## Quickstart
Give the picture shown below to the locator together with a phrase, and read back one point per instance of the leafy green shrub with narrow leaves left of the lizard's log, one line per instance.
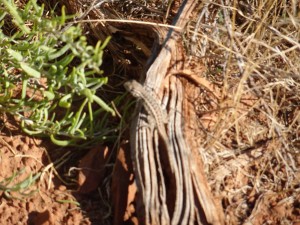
(57, 72)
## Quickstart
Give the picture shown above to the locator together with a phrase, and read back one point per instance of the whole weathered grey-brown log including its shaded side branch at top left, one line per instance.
(171, 183)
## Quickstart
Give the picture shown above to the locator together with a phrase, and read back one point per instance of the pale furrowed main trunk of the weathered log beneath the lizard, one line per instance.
(177, 195)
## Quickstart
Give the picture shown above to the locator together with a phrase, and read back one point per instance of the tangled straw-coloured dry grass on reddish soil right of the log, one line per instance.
(251, 51)
